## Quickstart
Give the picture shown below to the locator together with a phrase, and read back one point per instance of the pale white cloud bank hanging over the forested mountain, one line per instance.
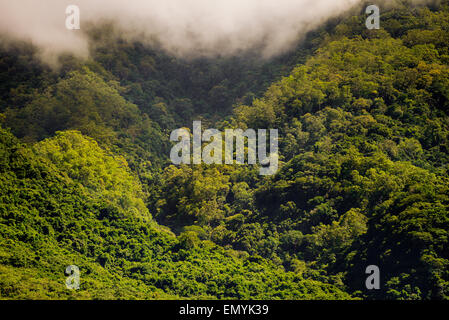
(183, 27)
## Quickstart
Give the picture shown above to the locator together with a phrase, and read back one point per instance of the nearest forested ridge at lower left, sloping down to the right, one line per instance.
(66, 201)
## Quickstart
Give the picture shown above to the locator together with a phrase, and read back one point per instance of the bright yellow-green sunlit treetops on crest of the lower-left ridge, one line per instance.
(106, 177)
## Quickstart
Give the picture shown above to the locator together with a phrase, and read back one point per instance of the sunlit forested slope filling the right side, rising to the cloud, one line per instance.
(364, 140)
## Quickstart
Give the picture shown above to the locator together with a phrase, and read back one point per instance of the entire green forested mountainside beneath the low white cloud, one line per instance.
(363, 124)
